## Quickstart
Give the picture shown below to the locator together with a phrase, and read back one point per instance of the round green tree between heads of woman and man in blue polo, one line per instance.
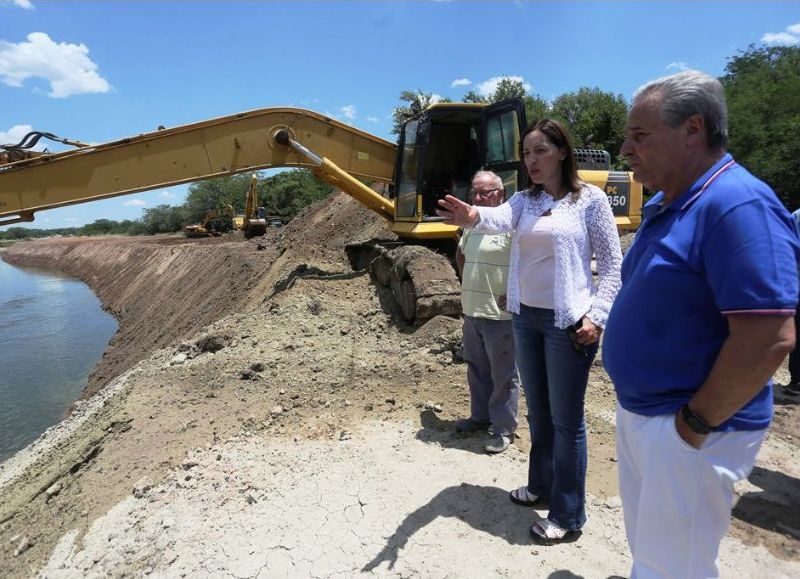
(590, 112)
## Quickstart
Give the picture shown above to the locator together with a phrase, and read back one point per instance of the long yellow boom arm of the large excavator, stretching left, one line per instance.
(184, 154)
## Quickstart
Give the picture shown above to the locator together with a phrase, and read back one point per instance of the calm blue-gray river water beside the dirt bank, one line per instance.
(53, 331)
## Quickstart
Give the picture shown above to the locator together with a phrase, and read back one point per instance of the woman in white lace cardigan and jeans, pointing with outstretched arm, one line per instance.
(559, 222)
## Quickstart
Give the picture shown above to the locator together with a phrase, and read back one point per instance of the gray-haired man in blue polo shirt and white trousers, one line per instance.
(703, 320)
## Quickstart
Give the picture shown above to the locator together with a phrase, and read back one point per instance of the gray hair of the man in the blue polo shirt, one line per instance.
(690, 93)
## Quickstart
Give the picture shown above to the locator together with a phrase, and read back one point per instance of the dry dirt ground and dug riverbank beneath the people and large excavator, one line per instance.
(296, 436)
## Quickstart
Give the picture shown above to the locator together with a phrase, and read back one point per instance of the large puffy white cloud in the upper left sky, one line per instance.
(65, 66)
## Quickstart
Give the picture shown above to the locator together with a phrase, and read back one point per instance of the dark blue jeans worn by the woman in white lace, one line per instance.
(554, 377)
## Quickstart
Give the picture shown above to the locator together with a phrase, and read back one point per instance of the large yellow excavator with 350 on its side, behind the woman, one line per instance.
(437, 153)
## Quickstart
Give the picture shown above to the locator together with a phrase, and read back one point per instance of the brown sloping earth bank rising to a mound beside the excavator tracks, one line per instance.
(166, 288)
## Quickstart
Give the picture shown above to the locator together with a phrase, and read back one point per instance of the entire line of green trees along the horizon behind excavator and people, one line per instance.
(763, 92)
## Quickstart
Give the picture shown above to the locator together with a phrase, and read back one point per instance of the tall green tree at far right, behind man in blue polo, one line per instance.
(762, 87)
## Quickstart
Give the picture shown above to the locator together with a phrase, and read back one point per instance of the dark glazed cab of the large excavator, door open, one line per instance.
(442, 148)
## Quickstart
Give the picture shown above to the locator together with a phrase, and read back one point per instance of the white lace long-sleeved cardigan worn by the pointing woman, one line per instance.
(582, 227)
